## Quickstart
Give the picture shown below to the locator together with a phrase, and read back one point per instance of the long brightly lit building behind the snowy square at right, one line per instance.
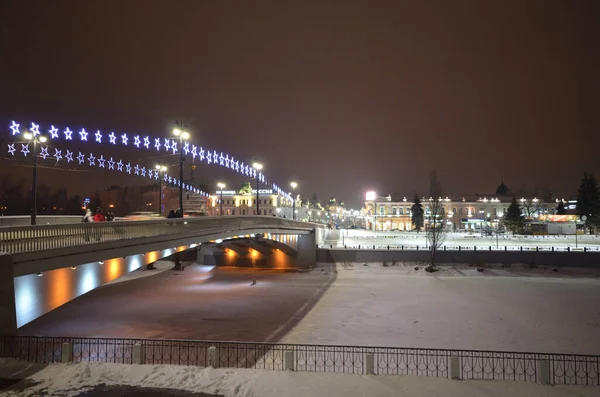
(468, 212)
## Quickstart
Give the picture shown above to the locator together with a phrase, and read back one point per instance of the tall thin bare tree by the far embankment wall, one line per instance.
(436, 229)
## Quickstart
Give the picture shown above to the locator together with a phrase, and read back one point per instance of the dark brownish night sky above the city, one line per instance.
(342, 96)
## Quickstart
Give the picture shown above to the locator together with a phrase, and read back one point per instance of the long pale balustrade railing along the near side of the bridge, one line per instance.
(22, 239)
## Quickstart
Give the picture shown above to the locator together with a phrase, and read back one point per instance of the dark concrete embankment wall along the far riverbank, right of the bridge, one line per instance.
(574, 259)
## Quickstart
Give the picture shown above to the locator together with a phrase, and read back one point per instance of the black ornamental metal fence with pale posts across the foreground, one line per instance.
(459, 364)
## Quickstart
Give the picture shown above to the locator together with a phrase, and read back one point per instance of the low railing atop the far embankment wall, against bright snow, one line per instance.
(416, 247)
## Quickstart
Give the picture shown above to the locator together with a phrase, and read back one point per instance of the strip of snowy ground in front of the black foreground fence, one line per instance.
(62, 380)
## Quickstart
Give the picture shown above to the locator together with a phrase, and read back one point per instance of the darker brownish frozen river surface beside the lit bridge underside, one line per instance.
(192, 304)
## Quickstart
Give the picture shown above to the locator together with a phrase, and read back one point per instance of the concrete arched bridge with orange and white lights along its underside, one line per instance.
(140, 243)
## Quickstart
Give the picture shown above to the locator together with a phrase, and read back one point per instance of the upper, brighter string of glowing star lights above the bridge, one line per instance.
(139, 142)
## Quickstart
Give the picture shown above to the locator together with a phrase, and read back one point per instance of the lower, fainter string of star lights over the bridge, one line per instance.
(91, 160)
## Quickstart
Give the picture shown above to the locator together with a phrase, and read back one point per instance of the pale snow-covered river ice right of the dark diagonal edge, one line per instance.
(498, 309)
